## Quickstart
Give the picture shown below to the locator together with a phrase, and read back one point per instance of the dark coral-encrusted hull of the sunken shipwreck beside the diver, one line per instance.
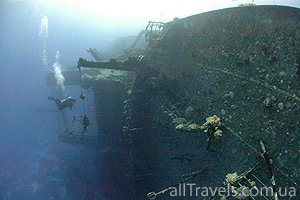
(215, 97)
